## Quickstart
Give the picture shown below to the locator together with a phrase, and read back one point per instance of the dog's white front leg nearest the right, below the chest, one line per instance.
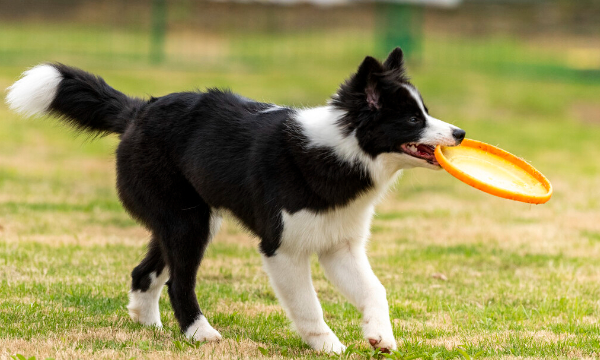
(348, 268)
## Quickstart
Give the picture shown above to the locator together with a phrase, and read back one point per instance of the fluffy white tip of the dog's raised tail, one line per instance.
(35, 91)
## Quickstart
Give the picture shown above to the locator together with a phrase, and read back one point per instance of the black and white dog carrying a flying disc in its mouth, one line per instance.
(302, 180)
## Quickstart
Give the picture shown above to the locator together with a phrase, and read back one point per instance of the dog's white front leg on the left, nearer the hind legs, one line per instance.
(290, 277)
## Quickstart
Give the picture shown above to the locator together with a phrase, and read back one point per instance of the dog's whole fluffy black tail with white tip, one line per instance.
(81, 99)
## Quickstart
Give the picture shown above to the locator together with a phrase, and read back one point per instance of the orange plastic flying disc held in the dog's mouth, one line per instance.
(494, 171)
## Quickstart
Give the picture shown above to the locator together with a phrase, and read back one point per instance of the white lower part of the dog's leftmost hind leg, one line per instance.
(143, 305)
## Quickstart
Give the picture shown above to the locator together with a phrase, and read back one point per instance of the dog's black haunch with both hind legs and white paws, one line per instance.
(182, 224)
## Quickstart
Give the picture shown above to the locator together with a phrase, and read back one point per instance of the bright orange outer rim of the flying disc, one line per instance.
(492, 189)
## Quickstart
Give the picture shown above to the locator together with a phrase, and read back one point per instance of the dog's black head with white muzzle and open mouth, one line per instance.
(387, 115)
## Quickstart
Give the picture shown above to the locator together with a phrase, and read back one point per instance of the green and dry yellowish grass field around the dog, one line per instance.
(519, 281)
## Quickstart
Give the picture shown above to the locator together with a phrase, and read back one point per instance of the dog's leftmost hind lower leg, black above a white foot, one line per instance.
(147, 281)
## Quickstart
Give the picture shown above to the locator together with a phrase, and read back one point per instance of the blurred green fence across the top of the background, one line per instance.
(557, 39)
